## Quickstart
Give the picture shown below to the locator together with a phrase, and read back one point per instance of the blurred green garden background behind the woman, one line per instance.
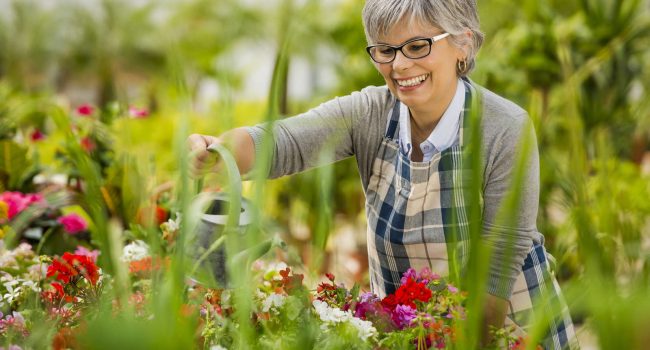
(580, 69)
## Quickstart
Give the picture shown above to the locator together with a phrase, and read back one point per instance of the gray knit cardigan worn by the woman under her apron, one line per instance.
(354, 125)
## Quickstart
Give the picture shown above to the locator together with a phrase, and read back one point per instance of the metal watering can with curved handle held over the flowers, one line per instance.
(226, 214)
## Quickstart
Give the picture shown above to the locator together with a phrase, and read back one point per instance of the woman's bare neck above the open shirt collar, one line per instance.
(425, 119)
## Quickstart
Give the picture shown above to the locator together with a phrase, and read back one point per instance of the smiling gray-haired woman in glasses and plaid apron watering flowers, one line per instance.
(408, 138)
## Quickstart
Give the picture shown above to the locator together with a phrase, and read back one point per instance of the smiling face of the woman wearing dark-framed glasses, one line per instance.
(436, 72)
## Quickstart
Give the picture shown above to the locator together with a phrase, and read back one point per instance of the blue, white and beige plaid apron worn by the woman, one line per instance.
(417, 218)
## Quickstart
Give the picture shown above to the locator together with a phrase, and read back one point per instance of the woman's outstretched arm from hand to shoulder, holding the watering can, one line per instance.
(347, 125)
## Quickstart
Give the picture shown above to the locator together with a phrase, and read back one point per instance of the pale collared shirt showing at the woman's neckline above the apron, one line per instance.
(443, 136)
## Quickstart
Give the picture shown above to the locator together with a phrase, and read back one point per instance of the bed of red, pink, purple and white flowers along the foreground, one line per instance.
(70, 292)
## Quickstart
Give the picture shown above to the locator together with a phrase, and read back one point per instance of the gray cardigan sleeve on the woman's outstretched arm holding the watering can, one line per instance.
(335, 130)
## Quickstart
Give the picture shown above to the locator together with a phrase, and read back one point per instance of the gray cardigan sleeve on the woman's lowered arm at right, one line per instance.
(510, 195)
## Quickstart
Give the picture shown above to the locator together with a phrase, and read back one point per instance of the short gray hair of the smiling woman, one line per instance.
(452, 16)
